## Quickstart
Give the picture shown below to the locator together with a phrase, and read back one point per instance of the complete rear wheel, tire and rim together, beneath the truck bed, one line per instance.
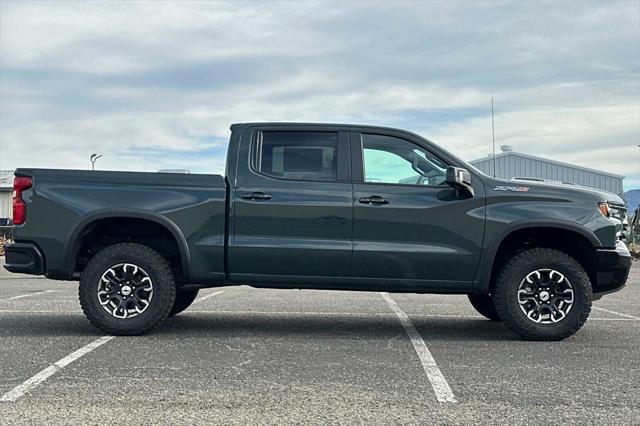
(127, 289)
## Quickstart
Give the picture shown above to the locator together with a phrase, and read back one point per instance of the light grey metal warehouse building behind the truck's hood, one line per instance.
(510, 164)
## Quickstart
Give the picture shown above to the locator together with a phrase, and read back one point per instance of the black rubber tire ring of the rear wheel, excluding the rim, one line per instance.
(159, 271)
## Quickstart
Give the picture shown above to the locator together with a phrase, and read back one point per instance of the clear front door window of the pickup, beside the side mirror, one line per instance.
(387, 159)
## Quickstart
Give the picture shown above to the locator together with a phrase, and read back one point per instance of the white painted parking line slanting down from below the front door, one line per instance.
(438, 382)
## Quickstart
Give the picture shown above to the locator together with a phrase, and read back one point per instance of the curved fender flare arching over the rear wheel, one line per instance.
(71, 243)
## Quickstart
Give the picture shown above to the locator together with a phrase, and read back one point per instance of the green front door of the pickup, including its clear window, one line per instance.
(408, 223)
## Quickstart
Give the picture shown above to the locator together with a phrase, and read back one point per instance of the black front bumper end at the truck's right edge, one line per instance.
(612, 269)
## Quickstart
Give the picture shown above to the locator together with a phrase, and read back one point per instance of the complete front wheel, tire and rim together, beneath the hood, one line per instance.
(543, 294)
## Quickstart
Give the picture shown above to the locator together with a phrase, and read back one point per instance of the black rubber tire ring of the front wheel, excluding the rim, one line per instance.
(516, 269)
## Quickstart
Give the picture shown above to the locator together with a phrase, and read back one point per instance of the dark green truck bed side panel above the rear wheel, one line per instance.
(63, 203)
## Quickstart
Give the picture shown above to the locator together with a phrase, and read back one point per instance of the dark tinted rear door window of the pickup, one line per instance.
(297, 155)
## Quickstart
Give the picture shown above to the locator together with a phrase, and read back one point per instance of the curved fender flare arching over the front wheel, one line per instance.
(483, 276)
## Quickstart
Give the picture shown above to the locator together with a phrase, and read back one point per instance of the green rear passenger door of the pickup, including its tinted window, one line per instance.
(292, 207)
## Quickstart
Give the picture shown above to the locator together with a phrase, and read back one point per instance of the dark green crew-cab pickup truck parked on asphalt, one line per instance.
(320, 206)
